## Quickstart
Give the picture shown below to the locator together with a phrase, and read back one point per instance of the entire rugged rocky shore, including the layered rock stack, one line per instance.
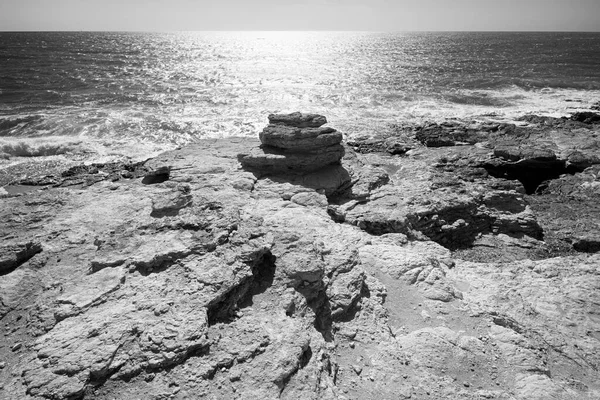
(442, 261)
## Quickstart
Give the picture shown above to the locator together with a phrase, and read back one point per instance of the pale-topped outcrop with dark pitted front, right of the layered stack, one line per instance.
(450, 200)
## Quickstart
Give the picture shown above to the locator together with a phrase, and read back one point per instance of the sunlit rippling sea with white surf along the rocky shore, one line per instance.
(105, 95)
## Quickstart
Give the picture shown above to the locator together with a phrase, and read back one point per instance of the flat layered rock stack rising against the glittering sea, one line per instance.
(294, 143)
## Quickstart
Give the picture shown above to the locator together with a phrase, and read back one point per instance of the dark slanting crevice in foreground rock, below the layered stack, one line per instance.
(224, 308)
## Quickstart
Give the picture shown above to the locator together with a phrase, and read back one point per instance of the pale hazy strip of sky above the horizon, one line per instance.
(378, 15)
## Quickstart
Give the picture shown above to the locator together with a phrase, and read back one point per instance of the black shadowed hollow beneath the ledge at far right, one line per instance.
(532, 173)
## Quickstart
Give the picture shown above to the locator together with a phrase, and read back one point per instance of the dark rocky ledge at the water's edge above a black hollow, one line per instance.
(541, 149)
